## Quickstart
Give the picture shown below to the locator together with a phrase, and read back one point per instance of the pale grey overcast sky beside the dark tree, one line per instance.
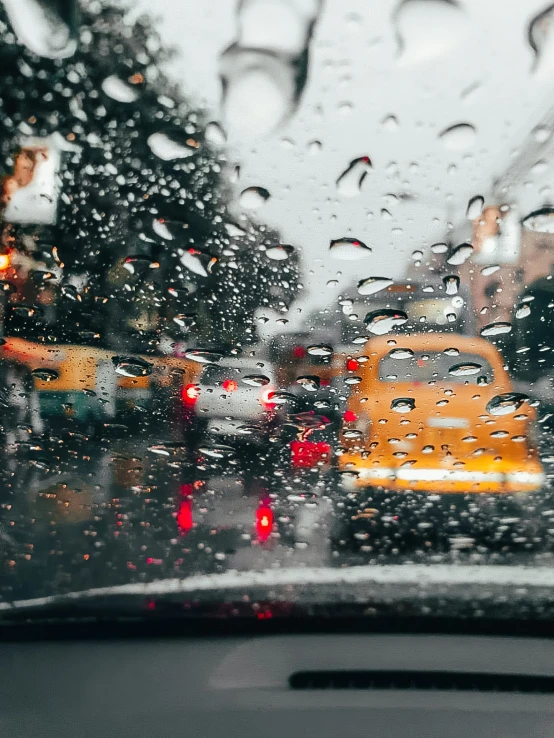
(471, 64)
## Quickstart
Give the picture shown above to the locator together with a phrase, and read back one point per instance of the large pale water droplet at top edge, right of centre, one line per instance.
(429, 28)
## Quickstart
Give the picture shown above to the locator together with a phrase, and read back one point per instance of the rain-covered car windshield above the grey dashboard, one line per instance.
(276, 301)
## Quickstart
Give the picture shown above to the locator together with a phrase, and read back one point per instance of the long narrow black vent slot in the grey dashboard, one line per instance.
(422, 680)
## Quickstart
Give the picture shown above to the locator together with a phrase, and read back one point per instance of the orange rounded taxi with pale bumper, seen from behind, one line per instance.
(437, 413)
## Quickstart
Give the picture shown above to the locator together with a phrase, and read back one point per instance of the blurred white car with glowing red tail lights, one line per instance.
(231, 400)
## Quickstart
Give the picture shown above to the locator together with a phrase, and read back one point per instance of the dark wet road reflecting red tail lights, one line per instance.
(78, 514)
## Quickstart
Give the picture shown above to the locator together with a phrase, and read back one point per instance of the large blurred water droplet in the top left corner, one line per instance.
(46, 29)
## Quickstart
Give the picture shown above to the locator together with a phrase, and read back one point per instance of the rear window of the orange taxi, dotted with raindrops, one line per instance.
(462, 368)
